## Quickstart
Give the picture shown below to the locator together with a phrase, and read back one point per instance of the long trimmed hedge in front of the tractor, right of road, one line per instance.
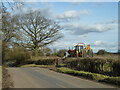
(95, 65)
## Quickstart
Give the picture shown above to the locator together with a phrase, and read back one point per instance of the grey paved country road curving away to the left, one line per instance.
(34, 77)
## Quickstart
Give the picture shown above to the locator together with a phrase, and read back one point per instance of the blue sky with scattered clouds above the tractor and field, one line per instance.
(94, 23)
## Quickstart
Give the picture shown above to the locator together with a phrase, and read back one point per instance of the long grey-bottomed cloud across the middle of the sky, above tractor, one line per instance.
(80, 29)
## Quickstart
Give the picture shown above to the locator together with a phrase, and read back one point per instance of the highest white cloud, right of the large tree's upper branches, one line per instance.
(72, 15)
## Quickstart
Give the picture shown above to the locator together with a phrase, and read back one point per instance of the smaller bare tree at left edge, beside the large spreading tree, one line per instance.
(8, 34)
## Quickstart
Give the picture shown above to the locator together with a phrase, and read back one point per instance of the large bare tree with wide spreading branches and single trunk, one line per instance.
(37, 31)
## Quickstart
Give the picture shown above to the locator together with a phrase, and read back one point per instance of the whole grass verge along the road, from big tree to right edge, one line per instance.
(88, 75)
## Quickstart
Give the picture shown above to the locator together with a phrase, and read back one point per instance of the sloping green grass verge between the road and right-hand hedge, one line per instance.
(89, 75)
